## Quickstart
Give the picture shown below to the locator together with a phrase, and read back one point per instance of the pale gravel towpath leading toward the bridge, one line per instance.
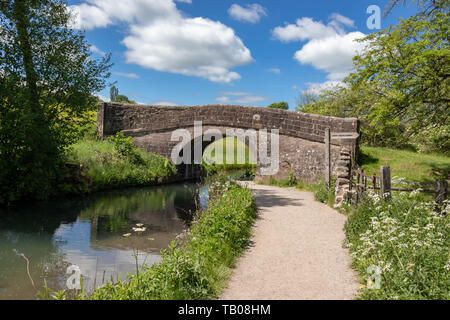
(296, 251)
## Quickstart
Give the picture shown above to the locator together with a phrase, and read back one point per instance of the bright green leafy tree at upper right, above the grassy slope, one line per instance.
(410, 64)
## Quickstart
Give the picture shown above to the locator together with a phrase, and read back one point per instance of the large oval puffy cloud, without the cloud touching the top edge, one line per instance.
(195, 47)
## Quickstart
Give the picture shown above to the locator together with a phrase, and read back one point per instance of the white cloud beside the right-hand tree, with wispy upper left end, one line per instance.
(329, 47)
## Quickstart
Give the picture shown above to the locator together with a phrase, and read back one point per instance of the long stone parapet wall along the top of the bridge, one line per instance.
(139, 119)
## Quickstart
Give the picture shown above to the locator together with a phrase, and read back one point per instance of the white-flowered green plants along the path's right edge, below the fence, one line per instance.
(407, 241)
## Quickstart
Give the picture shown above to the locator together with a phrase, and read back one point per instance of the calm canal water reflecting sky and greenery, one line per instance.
(89, 233)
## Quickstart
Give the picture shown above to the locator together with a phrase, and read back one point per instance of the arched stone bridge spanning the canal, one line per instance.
(301, 135)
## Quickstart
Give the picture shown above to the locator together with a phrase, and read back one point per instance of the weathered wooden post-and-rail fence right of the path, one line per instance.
(361, 182)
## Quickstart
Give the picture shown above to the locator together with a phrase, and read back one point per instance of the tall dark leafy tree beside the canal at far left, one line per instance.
(46, 79)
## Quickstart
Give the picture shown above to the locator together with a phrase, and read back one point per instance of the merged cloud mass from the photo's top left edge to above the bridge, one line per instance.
(161, 38)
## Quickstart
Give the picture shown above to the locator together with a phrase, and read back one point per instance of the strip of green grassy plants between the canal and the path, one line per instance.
(198, 264)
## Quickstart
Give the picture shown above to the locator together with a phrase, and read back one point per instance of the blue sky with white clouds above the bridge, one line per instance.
(191, 52)
